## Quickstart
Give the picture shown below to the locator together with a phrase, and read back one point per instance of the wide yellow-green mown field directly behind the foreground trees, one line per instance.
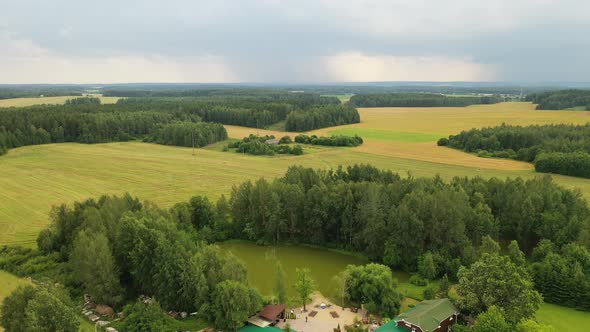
(34, 178)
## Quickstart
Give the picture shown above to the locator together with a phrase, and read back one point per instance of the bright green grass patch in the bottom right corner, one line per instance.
(564, 319)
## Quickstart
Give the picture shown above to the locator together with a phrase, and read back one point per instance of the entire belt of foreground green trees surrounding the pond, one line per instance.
(437, 228)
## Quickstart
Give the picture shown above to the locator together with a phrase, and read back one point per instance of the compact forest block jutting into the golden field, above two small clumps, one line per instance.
(321, 117)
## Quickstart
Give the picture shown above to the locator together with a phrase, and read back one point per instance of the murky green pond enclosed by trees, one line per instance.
(260, 261)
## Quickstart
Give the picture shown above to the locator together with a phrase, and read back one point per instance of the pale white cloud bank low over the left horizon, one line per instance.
(24, 62)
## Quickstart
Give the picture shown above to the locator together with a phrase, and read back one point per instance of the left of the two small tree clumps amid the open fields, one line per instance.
(256, 145)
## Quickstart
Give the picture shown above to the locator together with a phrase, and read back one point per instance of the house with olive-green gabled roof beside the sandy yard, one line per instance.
(426, 316)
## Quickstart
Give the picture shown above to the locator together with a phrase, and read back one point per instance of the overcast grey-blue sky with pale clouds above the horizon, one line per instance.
(109, 41)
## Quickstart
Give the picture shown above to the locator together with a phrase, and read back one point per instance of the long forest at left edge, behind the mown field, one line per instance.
(80, 123)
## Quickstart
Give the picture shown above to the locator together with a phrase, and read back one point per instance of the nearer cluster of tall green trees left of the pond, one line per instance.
(117, 248)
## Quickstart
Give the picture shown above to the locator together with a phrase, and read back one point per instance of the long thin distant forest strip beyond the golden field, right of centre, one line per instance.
(419, 100)
